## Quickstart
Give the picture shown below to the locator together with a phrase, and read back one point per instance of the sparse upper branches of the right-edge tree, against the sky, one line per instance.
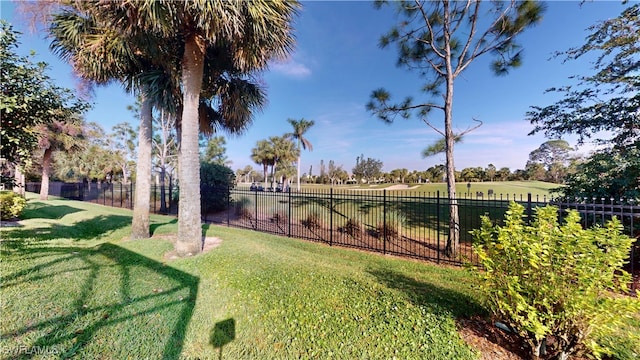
(606, 100)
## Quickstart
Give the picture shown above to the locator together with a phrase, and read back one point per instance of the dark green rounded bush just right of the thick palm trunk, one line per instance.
(216, 183)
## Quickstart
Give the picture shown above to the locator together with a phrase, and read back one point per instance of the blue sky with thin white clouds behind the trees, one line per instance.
(336, 65)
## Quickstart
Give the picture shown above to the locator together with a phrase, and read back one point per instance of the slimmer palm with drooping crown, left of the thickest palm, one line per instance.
(99, 54)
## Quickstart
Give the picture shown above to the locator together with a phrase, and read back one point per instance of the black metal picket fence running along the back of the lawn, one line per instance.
(403, 223)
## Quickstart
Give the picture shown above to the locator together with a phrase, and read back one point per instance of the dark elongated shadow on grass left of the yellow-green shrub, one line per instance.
(437, 298)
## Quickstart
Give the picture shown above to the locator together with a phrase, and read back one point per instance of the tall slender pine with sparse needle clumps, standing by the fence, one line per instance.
(439, 40)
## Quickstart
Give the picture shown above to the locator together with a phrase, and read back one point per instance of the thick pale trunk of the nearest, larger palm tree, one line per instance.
(189, 213)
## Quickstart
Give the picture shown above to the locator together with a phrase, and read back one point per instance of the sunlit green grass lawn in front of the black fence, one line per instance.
(73, 285)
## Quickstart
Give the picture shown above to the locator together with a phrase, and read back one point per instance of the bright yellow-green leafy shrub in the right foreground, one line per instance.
(559, 287)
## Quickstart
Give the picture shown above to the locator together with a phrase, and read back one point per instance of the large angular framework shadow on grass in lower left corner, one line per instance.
(102, 301)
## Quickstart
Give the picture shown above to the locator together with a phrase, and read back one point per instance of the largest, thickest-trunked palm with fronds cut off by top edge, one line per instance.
(256, 32)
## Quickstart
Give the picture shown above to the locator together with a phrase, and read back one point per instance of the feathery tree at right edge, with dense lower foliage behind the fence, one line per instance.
(602, 106)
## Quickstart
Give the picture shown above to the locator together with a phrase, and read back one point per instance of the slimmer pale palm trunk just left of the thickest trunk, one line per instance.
(140, 223)
